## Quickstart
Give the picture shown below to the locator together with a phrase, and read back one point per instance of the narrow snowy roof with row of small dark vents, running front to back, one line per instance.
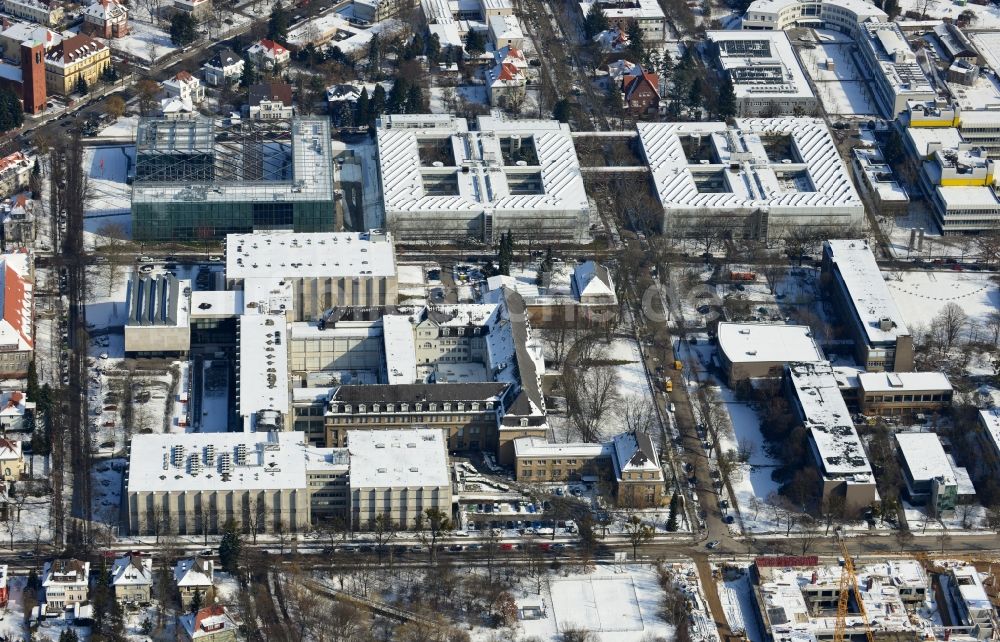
(263, 373)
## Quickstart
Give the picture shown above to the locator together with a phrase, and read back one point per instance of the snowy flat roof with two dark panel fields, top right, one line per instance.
(761, 64)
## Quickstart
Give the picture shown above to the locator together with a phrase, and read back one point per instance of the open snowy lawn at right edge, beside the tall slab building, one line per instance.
(921, 295)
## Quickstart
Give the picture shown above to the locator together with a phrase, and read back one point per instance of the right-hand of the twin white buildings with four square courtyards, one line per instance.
(761, 178)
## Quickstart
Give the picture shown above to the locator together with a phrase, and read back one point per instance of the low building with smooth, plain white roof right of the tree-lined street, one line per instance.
(749, 350)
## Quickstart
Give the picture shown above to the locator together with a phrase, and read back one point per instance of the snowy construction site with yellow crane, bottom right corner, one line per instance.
(800, 598)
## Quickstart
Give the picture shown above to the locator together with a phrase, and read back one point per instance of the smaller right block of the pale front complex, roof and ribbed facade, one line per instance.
(398, 473)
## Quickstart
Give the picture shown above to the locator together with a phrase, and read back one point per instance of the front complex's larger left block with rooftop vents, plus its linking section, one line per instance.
(193, 483)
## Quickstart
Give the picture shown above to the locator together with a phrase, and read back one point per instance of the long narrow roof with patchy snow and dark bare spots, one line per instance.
(825, 415)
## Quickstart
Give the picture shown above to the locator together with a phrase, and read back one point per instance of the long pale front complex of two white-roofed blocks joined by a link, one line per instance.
(194, 483)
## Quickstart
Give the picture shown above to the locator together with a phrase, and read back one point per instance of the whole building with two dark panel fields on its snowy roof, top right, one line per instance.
(766, 75)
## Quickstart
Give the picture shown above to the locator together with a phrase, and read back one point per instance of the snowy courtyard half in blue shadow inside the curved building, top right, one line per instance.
(842, 89)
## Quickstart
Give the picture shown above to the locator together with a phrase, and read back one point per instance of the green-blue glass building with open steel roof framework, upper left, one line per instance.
(204, 178)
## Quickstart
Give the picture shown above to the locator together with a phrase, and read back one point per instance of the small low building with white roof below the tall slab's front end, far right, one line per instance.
(903, 393)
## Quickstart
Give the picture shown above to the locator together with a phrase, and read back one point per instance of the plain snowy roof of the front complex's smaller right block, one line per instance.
(406, 458)
